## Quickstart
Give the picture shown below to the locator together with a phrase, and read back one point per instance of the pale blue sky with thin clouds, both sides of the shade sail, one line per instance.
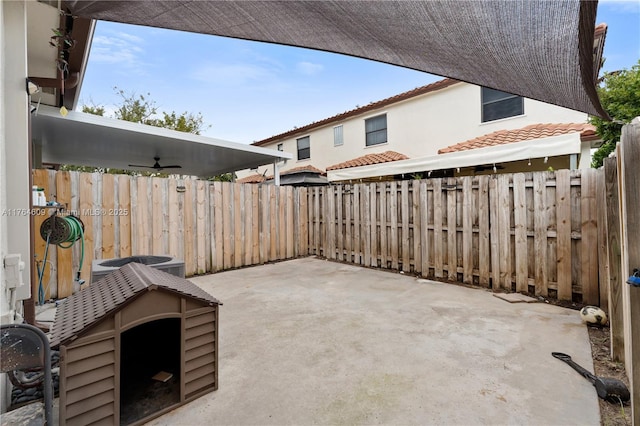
(248, 91)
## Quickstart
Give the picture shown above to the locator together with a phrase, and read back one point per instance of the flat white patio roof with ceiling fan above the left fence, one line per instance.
(116, 144)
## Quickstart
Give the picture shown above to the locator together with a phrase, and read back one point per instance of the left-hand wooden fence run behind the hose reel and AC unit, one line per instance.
(212, 226)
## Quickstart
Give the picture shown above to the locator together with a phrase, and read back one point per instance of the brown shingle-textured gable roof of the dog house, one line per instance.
(111, 293)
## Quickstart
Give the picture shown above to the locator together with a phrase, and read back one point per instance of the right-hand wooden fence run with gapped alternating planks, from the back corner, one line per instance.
(526, 232)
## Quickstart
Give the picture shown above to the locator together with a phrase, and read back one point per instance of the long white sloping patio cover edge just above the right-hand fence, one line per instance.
(536, 148)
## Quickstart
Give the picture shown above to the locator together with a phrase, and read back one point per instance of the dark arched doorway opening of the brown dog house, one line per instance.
(150, 369)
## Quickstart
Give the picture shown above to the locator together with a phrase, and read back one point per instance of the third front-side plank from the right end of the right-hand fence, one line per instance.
(540, 233)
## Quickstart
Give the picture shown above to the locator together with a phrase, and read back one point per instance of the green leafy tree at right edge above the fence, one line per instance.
(619, 94)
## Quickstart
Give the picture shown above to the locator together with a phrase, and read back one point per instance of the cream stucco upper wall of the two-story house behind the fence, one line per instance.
(419, 127)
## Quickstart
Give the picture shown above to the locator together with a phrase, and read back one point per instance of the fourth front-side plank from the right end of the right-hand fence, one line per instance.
(520, 223)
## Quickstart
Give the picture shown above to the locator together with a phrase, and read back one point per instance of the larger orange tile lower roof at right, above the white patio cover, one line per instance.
(533, 131)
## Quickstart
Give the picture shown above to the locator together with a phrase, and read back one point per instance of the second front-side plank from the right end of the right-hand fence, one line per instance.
(563, 228)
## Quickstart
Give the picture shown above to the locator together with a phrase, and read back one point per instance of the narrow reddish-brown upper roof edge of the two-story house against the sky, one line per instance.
(438, 85)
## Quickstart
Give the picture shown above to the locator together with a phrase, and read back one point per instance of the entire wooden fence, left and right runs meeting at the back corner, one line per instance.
(526, 232)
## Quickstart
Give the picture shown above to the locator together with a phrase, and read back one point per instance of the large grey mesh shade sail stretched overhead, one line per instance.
(539, 49)
